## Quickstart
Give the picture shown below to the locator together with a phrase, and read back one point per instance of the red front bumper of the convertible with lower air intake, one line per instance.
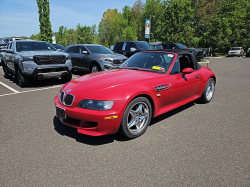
(92, 122)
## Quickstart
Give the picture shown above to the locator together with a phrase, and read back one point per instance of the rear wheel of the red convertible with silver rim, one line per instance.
(208, 91)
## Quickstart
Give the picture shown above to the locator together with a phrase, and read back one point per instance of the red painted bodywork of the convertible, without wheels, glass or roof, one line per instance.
(123, 85)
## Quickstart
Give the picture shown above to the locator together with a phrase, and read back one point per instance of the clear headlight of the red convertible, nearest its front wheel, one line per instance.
(95, 104)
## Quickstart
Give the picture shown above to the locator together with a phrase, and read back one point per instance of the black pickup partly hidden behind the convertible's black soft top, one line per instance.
(197, 52)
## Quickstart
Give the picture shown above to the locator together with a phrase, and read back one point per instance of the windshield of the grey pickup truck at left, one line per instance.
(34, 46)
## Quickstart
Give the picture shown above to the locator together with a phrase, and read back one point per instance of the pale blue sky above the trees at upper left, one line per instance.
(20, 17)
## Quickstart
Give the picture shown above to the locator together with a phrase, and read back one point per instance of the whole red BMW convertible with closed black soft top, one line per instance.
(146, 85)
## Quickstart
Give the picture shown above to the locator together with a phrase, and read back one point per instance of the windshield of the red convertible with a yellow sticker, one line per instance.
(155, 62)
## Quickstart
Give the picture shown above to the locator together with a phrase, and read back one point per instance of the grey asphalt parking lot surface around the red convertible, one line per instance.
(194, 145)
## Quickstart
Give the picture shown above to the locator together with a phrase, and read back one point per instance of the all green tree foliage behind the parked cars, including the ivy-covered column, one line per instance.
(218, 24)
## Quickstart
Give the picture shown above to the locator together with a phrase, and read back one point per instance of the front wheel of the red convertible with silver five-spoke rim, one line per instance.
(136, 118)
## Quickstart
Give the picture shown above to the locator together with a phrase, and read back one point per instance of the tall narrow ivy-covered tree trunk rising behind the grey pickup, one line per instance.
(44, 19)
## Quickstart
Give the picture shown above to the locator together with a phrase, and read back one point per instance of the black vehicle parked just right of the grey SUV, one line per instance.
(129, 48)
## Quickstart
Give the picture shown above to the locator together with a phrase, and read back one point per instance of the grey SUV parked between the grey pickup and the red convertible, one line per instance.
(93, 58)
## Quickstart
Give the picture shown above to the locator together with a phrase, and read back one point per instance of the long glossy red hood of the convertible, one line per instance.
(88, 86)
